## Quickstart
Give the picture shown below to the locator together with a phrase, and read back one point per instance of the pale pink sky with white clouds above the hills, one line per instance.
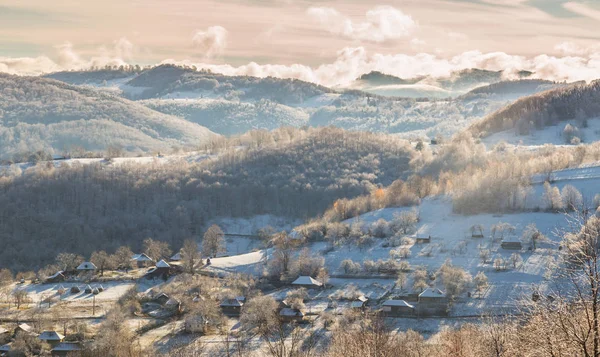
(324, 41)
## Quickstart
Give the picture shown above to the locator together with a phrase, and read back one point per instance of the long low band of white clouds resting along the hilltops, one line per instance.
(575, 63)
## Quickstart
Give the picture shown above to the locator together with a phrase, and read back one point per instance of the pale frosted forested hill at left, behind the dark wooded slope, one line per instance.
(43, 114)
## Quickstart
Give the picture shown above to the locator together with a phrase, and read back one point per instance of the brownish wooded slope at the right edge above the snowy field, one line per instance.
(579, 102)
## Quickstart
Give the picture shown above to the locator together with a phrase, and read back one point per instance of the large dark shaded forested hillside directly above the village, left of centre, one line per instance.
(292, 173)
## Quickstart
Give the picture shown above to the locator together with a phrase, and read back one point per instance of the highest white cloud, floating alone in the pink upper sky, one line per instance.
(381, 23)
